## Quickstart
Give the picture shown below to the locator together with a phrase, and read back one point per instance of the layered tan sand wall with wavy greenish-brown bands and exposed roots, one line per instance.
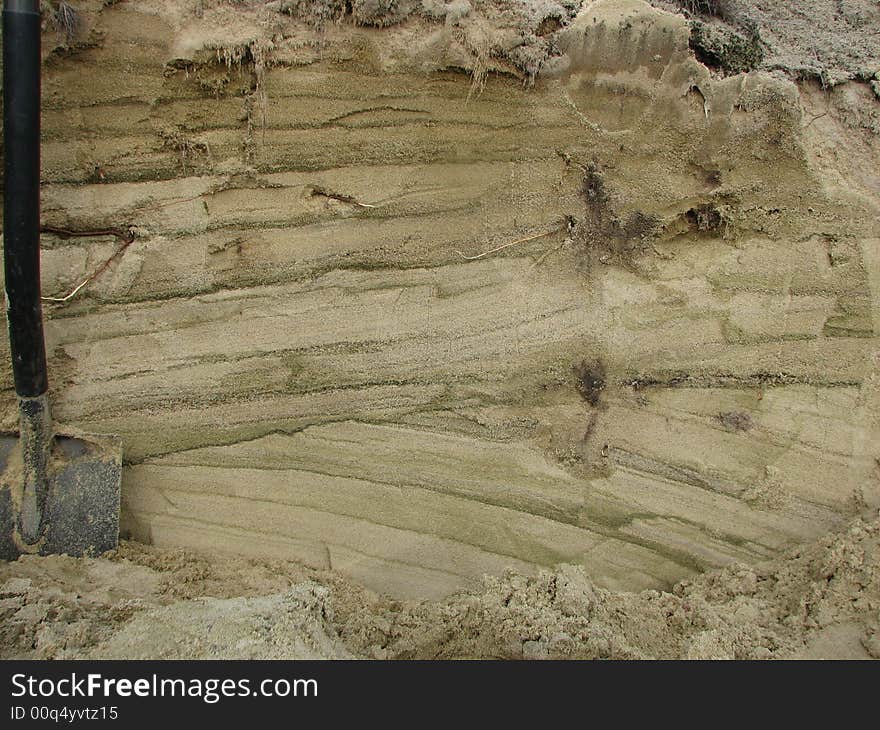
(397, 307)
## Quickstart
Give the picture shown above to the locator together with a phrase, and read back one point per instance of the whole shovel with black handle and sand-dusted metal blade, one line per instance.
(58, 493)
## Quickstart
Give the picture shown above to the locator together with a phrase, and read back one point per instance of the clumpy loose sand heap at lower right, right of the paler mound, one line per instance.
(781, 609)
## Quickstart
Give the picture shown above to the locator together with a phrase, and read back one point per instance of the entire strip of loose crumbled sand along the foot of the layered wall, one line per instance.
(820, 601)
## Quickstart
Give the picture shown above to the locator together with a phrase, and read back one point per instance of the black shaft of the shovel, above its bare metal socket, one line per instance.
(21, 202)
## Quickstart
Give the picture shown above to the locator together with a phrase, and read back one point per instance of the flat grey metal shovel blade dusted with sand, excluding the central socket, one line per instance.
(81, 513)
